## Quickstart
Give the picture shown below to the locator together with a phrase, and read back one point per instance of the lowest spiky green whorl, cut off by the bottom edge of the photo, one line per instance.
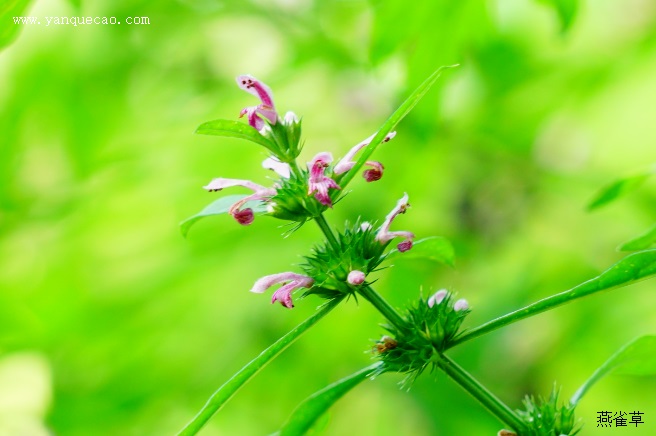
(545, 417)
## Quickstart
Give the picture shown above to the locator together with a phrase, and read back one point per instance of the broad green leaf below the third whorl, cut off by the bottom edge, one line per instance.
(310, 410)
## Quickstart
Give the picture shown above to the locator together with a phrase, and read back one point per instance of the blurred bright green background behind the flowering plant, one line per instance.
(111, 323)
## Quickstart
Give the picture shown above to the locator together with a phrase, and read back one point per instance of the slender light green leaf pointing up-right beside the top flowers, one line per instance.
(389, 125)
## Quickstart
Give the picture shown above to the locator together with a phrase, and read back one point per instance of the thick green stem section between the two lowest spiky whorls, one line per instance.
(481, 393)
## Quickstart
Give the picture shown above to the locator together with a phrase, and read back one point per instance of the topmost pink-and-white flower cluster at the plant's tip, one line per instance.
(299, 194)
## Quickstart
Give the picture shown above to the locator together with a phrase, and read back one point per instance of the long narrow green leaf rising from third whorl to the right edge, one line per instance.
(635, 267)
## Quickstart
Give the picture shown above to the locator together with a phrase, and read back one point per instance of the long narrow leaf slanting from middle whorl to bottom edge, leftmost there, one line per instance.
(229, 388)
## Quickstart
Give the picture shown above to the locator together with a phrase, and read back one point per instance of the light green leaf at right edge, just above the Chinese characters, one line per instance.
(636, 358)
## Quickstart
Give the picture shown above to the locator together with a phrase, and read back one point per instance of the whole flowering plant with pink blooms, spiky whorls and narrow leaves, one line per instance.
(417, 337)
